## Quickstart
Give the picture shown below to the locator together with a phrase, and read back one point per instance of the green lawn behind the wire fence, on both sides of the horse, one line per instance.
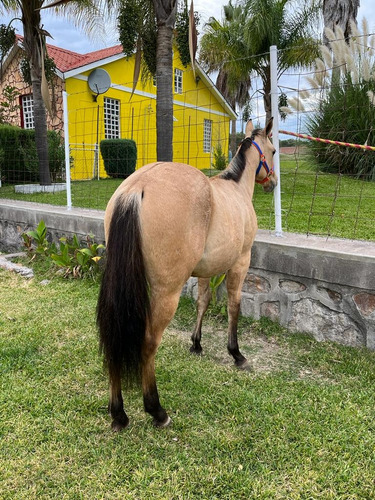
(312, 202)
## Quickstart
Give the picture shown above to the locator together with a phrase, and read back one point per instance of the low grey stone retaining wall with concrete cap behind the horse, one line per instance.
(322, 287)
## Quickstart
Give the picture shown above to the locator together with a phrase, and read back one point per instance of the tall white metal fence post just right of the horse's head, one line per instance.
(275, 138)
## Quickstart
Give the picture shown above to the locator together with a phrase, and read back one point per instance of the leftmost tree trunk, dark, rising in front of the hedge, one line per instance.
(32, 49)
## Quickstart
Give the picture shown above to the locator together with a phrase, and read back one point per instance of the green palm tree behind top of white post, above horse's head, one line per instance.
(255, 26)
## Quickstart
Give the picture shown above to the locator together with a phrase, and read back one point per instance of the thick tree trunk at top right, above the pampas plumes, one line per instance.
(339, 13)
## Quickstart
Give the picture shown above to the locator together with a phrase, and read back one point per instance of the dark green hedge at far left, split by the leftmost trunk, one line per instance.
(19, 159)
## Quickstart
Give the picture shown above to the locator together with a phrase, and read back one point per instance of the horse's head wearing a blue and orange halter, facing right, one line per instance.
(265, 174)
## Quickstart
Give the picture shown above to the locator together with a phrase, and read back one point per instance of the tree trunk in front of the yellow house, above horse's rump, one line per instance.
(164, 94)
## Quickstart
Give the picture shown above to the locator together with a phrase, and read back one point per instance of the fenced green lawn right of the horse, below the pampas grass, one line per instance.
(319, 203)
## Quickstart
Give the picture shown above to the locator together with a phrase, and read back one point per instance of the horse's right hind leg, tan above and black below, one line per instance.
(162, 311)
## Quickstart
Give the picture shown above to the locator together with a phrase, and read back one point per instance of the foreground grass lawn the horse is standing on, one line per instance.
(300, 426)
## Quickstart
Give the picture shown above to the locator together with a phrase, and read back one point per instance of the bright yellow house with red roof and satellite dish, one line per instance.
(100, 105)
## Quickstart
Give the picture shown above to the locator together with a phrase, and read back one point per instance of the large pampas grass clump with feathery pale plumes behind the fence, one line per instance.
(346, 113)
